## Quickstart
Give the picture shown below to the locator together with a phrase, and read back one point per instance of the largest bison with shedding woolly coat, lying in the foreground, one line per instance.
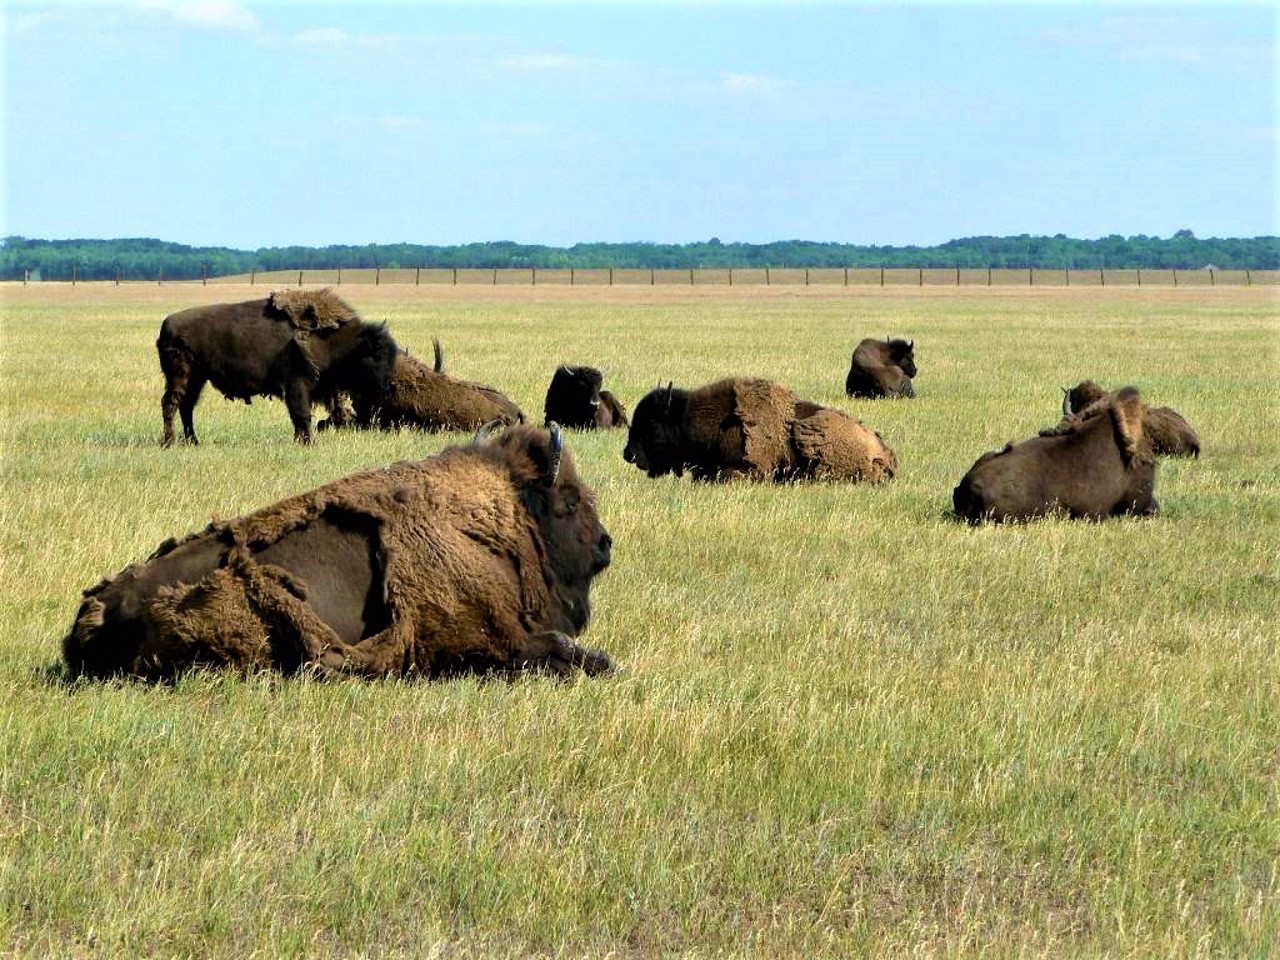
(479, 559)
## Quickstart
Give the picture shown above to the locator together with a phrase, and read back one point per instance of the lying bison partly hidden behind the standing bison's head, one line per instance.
(428, 399)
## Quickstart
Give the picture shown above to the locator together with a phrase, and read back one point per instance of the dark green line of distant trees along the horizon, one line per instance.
(152, 259)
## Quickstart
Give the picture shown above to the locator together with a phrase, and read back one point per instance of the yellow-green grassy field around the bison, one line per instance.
(848, 725)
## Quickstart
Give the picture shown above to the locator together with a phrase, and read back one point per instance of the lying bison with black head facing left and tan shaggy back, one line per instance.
(753, 429)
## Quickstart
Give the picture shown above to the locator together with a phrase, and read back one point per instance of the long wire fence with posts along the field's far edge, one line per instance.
(726, 277)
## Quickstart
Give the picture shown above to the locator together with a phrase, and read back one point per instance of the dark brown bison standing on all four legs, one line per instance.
(298, 345)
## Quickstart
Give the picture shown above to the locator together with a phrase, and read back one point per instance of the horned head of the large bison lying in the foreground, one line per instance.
(564, 510)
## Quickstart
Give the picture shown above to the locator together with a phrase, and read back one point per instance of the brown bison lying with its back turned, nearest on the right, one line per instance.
(1098, 467)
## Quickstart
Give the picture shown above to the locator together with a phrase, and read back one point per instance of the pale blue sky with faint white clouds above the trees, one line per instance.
(264, 125)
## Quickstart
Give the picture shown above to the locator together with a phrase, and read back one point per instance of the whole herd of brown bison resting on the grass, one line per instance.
(482, 557)
